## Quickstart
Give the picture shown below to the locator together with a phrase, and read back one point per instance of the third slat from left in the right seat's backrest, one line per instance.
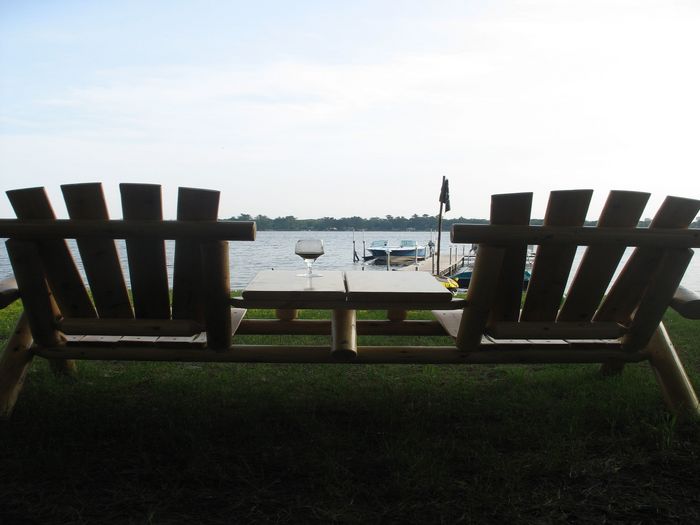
(598, 265)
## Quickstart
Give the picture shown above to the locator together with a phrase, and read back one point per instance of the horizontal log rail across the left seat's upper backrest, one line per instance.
(127, 229)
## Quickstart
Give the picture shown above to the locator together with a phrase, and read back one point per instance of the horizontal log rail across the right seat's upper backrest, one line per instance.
(496, 235)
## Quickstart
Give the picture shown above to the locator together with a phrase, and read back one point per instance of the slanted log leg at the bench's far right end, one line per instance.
(675, 385)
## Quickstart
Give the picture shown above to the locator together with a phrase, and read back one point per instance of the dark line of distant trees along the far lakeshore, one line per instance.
(415, 222)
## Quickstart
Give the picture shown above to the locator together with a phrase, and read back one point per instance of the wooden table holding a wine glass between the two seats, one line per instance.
(343, 293)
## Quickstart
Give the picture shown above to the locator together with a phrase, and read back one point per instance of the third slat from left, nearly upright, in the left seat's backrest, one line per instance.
(147, 266)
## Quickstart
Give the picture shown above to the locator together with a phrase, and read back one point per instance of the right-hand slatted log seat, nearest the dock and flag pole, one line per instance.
(584, 322)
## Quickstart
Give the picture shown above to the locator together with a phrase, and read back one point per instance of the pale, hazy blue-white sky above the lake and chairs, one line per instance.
(351, 108)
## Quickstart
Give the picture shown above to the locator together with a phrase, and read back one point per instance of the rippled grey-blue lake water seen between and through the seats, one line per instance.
(275, 250)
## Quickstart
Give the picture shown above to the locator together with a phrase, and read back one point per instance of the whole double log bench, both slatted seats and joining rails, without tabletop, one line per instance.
(64, 320)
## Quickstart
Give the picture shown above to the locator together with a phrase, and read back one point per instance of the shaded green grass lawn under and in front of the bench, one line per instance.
(240, 443)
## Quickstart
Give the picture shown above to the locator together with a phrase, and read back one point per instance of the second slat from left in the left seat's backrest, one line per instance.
(99, 256)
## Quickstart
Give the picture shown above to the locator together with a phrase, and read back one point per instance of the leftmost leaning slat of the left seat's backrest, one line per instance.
(61, 272)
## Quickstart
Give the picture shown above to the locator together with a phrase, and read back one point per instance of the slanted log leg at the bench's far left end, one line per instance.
(14, 363)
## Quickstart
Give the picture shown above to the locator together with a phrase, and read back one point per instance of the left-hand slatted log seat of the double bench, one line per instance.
(63, 321)
